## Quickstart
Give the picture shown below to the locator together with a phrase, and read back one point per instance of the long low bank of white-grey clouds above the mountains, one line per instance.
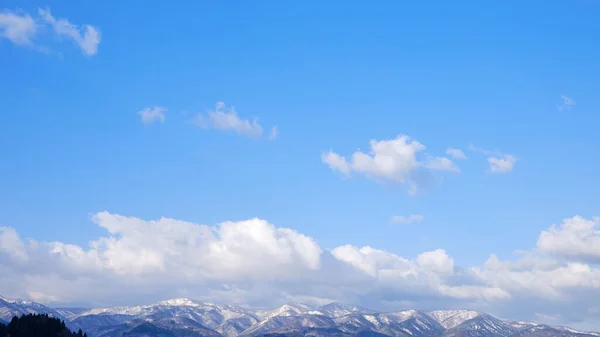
(254, 262)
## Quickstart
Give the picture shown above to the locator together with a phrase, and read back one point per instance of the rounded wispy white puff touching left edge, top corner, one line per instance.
(19, 28)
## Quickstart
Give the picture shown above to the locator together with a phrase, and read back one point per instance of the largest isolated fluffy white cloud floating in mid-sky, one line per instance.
(397, 160)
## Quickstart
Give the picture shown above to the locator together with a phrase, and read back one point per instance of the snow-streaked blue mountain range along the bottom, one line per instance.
(185, 317)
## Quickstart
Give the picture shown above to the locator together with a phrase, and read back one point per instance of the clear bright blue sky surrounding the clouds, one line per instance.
(330, 77)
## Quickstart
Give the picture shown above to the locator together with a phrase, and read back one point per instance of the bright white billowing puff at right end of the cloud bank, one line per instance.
(576, 238)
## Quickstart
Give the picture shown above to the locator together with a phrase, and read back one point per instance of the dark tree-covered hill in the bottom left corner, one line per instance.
(37, 326)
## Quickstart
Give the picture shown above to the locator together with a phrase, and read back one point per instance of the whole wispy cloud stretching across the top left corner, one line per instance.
(21, 28)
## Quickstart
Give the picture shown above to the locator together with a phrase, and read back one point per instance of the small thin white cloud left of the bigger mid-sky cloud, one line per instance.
(227, 119)
